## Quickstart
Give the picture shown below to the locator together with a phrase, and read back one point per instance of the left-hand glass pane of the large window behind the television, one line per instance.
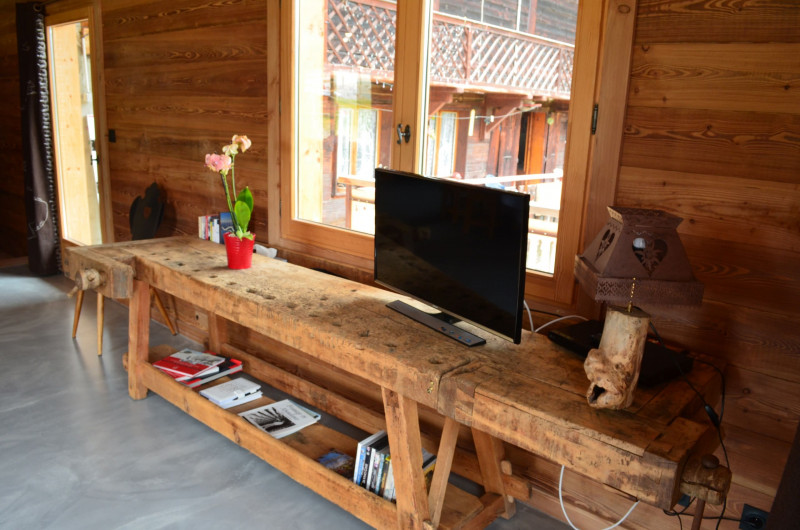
(344, 77)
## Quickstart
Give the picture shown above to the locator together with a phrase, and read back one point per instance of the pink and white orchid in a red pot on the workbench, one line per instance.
(238, 241)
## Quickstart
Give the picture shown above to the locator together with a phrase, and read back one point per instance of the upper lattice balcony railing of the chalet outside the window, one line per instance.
(467, 54)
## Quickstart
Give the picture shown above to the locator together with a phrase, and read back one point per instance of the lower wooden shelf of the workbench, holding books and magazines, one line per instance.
(296, 456)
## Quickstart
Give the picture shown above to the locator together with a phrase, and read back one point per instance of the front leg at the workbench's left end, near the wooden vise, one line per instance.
(138, 337)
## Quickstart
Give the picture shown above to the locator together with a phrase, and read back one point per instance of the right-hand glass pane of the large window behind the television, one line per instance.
(500, 77)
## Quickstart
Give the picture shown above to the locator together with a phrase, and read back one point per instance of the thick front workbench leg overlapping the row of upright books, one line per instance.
(402, 427)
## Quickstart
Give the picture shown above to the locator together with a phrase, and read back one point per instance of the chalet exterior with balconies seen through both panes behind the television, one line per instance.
(498, 89)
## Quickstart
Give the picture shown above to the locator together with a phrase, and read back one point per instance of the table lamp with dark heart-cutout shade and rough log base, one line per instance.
(637, 259)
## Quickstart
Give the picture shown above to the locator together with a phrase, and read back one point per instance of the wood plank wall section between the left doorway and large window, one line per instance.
(179, 83)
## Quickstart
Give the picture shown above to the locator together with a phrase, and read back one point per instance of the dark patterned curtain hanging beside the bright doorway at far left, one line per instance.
(37, 141)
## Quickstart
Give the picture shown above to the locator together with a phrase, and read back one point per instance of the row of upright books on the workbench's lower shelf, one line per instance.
(373, 466)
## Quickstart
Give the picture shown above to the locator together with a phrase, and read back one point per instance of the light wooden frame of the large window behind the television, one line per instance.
(601, 69)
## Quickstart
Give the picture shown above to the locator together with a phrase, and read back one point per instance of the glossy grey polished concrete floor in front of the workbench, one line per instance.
(77, 453)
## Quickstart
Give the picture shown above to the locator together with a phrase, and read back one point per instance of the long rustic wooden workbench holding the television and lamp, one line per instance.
(530, 395)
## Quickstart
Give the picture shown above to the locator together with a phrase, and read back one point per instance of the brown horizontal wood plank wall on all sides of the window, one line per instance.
(711, 134)
